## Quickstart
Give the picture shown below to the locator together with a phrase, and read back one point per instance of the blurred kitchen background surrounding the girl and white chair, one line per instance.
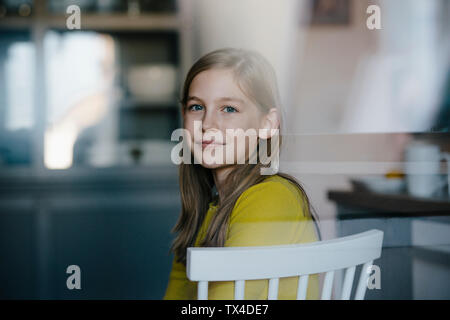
(86, 118)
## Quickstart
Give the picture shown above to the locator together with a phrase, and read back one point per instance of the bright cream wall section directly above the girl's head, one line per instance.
(269, 27)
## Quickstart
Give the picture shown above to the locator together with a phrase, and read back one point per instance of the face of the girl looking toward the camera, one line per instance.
(217, 103)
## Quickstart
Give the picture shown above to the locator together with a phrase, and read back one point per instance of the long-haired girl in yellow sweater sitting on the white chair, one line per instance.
(230, 203)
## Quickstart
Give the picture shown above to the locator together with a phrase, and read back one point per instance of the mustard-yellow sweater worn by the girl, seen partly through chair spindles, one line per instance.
(269, 213)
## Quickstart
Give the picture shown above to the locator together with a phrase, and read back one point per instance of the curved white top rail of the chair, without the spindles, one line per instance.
(251, 263)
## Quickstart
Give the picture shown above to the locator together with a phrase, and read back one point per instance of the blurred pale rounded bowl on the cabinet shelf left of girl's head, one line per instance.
(152, 82)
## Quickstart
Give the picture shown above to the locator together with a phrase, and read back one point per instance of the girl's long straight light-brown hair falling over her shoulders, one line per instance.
(256, 78)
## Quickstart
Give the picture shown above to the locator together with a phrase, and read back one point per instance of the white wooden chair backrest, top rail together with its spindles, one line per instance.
(273, 262)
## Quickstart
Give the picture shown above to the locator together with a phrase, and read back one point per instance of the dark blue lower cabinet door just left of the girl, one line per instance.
(121, 245)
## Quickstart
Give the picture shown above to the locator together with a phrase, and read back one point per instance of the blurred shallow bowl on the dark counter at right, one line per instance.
(379, 184)
